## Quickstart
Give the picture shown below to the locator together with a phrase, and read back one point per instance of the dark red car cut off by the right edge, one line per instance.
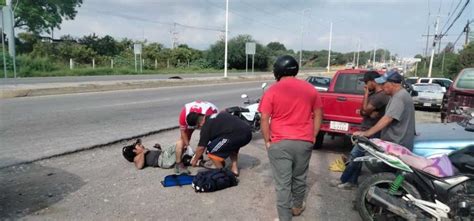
(460, 96)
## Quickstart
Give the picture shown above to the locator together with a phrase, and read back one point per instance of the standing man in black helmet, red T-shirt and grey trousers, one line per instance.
(291, 117)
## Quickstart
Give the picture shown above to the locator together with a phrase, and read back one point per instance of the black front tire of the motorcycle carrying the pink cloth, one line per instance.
(381, 180)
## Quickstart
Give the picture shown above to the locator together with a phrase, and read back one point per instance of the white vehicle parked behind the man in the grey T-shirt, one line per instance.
(429, 95)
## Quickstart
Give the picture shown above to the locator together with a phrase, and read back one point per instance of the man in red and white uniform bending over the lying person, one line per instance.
(199, 107)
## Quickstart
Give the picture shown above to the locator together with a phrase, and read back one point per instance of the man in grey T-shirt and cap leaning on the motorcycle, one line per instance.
(398, 123)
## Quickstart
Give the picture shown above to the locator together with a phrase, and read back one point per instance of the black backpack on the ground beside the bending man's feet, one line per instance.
(213, 180)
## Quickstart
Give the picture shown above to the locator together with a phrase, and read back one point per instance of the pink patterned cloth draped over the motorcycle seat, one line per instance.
(437, 166)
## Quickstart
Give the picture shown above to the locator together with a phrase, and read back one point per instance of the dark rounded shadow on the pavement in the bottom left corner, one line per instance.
(28, 188)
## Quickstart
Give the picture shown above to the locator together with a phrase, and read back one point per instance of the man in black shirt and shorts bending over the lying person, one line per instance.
(222, 135)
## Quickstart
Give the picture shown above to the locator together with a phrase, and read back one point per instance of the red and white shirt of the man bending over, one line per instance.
(201, 107)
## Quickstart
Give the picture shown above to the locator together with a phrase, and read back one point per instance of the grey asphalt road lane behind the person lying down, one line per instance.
(37, 127)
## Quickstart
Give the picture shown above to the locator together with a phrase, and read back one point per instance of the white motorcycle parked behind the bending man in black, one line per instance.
(250, 112)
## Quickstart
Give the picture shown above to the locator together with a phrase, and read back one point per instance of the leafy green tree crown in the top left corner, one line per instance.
(40, 16)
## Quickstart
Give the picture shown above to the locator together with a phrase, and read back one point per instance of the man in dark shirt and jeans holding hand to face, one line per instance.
(373, 108)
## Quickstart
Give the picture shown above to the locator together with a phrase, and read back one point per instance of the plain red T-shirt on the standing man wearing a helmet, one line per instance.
(291, 103)
